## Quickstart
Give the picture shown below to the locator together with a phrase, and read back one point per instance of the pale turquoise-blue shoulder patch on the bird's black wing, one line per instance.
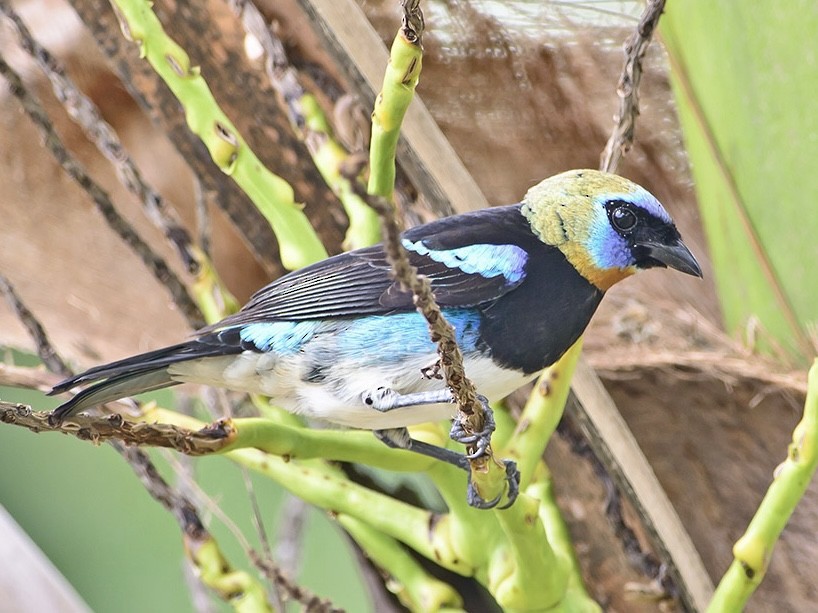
(483, 259)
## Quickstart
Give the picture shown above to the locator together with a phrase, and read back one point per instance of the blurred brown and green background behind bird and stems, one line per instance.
(708, 374)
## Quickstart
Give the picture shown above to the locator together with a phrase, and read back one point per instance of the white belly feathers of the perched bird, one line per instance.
(338, 397)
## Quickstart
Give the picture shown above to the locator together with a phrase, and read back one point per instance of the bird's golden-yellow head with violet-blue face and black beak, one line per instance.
(607, 227)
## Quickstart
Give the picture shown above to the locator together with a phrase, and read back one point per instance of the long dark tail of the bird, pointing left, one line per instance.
(141, 373)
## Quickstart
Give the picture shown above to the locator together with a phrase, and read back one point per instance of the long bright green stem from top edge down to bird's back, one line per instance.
(274, 197)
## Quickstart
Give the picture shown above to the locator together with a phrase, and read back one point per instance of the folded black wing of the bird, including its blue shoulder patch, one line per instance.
(469, 259)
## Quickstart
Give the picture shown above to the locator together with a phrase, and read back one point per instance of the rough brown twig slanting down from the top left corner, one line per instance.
(86, 114)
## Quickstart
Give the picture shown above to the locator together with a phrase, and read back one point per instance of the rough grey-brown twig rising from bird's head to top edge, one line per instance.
(628, 87)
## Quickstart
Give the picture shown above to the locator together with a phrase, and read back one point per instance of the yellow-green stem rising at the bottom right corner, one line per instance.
(752, 551)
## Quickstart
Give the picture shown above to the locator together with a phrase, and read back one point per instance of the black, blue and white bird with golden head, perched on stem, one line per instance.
(342, 342)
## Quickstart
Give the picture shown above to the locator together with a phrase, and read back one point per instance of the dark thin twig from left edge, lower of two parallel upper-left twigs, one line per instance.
(154, 262)
